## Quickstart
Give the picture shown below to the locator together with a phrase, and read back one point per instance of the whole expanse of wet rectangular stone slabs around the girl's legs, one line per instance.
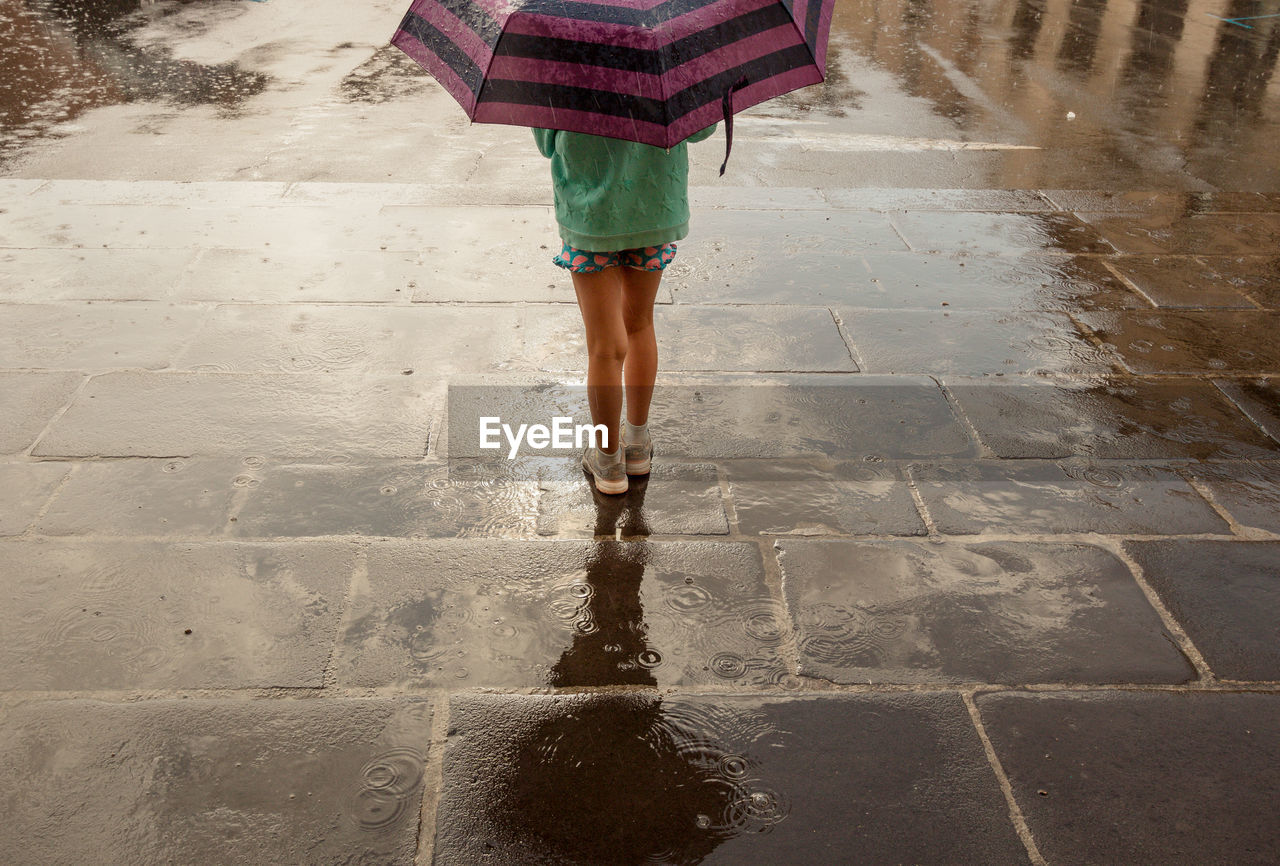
(932, 584)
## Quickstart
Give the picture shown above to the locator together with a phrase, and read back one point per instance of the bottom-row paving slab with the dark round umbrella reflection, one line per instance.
(542, 780)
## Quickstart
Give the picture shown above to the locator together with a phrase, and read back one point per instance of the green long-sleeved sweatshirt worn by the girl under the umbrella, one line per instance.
(618, 195)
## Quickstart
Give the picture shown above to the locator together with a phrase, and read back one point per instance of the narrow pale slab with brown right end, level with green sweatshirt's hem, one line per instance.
(999, 233)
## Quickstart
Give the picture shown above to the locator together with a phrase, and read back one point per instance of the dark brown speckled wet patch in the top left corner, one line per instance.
(61, 58)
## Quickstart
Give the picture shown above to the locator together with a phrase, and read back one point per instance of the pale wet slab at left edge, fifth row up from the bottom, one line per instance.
(95, 336)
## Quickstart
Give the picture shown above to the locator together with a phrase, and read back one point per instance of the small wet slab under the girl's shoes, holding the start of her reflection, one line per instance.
(673, 500)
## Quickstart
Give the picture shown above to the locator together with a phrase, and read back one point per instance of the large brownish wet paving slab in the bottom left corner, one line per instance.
(228, 782)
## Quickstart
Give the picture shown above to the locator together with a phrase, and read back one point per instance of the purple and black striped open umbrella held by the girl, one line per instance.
(647, 71)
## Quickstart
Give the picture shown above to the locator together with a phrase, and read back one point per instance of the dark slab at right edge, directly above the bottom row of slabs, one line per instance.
(1227, 595)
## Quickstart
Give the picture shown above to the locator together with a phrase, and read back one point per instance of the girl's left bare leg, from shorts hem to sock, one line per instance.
(600, 299)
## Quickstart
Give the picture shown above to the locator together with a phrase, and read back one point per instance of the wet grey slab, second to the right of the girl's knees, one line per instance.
(971, 343)
